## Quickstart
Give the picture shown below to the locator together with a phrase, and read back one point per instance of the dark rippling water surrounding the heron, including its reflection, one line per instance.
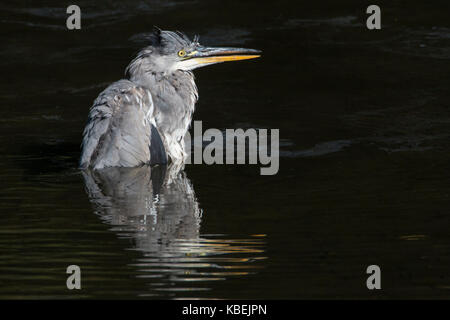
(364, 172)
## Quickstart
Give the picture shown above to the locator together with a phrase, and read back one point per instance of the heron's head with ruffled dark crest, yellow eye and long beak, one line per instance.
(170, 51)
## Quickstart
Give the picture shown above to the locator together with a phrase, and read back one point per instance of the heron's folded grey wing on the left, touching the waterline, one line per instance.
(120, 130)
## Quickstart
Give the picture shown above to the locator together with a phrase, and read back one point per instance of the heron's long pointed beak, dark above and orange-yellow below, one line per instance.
(206, 56)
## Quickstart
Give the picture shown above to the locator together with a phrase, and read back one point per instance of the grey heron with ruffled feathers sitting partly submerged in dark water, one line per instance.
(143, 118)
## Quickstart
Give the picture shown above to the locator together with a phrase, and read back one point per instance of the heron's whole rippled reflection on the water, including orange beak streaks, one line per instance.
(157, 207)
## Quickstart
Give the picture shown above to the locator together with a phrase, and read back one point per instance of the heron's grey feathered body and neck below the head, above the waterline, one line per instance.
(131, 124)
